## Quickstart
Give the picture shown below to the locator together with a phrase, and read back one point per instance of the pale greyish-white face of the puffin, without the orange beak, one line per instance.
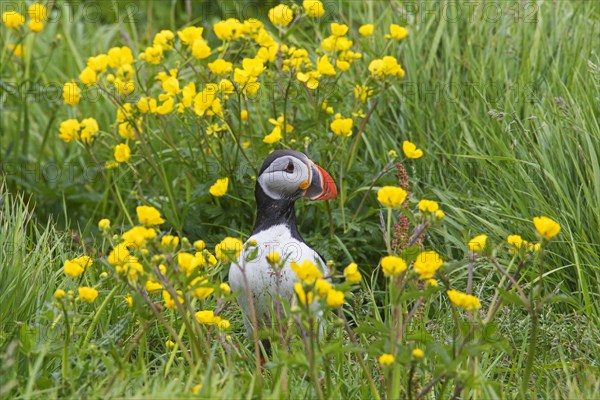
(287, 177)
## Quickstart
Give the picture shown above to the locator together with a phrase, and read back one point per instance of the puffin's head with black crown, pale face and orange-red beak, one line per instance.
(289, 175)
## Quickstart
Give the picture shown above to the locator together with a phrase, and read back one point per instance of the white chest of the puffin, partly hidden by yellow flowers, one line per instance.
(264, 282)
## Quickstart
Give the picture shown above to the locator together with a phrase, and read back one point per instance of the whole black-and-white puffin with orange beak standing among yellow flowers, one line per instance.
(284, 177)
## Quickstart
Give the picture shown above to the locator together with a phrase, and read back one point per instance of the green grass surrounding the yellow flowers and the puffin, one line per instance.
(505, 108)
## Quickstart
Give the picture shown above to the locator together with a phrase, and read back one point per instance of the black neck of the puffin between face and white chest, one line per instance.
(271, 212)
